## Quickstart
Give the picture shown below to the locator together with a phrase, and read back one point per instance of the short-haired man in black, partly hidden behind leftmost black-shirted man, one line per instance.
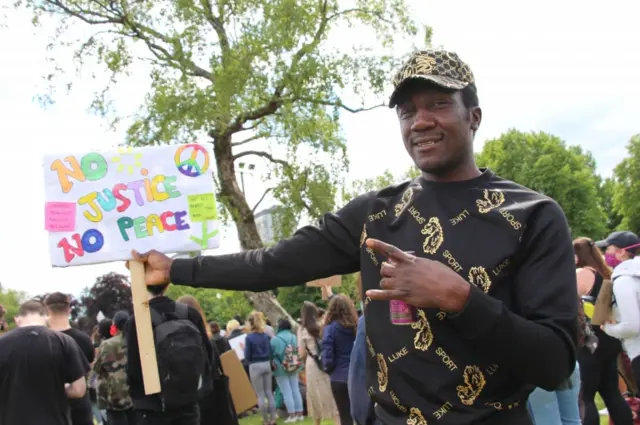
(59, 308)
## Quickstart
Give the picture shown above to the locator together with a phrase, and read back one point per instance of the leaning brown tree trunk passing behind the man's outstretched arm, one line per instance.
(236, 202)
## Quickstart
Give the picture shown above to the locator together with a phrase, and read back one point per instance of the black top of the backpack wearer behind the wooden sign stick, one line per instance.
(162, 305)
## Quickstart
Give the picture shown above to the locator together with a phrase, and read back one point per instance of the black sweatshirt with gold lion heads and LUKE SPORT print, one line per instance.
(518, 329)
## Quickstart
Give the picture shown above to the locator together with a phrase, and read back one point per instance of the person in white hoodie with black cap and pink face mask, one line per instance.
(622, 252)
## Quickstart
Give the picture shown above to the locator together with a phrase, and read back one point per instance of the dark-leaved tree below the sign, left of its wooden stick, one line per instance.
(110, 294)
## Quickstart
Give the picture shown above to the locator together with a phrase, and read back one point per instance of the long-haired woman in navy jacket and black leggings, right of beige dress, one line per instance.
(338, 336)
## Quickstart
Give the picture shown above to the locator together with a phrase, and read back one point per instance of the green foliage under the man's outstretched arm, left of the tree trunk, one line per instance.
(218, 306)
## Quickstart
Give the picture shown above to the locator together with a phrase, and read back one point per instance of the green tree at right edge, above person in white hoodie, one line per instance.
(626, 199)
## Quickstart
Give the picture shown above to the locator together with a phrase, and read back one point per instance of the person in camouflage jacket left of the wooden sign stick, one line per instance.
(111, 372)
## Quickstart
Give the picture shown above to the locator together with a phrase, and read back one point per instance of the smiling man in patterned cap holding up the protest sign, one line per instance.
(488, 300)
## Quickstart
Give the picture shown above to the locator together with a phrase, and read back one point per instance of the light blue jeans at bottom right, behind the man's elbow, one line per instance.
(556, 407)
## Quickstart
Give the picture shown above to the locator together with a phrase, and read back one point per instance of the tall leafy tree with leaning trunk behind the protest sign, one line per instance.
(256, 74)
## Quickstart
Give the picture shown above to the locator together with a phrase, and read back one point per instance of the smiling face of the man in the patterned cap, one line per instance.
(437, 129)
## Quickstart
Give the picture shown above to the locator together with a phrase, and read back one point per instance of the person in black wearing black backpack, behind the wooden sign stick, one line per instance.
(152, 409)
